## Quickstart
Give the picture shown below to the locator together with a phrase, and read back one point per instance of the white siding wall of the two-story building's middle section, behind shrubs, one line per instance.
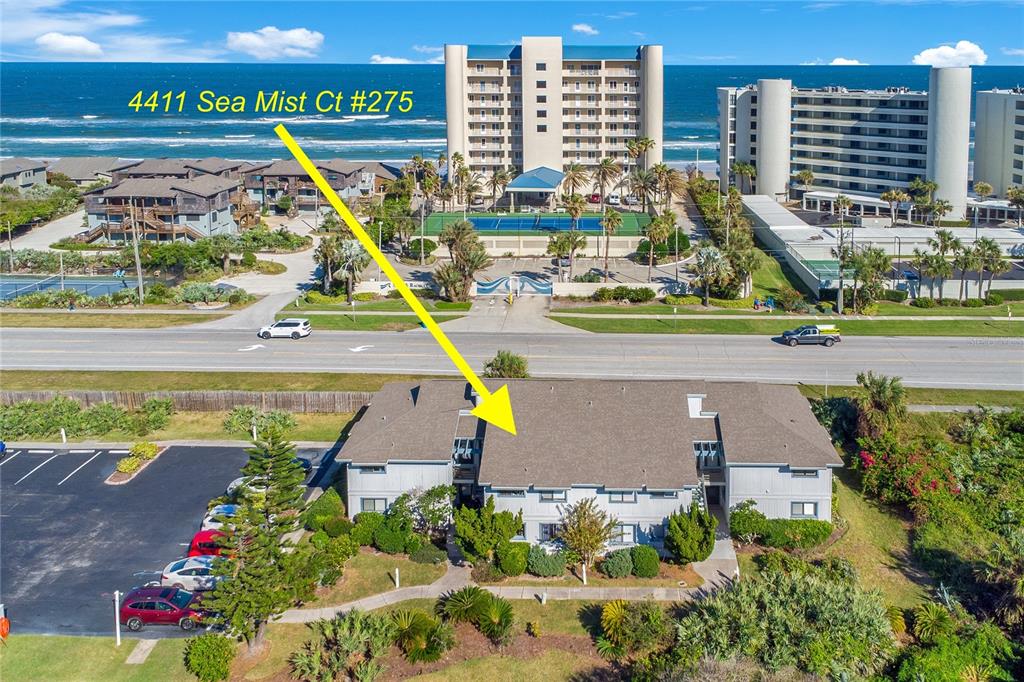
(645, 514)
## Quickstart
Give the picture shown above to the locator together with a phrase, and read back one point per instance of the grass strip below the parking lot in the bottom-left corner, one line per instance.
(74, 659)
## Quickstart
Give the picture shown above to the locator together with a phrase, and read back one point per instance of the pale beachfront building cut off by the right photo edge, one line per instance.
(999, 140)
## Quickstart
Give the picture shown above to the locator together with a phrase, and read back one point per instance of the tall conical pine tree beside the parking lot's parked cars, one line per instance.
(259, 584)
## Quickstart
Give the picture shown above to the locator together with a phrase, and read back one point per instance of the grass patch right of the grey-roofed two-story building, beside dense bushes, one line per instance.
(878, 543)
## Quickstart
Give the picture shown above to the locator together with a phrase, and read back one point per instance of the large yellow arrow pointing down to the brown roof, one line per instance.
(494, 408)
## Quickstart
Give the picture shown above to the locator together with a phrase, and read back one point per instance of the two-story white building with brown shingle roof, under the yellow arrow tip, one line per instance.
(642, 449)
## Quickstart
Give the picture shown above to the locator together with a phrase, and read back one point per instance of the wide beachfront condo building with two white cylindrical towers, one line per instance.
(855, 142)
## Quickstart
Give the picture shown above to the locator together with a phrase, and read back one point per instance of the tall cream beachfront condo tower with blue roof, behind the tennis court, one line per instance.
(545, 105)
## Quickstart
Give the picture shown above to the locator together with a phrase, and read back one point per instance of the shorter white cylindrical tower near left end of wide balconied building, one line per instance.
(774, 137)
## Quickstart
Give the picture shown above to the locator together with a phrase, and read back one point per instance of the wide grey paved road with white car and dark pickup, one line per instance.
(984, 363)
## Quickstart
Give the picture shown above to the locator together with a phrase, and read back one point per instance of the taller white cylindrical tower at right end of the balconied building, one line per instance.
(950, 135)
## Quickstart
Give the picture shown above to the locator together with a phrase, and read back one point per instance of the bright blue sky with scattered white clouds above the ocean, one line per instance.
(711, 32)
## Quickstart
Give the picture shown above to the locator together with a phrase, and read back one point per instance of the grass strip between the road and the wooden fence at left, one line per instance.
(38, 380)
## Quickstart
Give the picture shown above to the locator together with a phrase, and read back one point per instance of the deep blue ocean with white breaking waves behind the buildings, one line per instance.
(58, 110)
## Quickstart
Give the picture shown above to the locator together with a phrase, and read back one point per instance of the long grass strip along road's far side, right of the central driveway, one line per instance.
(776, 327)
